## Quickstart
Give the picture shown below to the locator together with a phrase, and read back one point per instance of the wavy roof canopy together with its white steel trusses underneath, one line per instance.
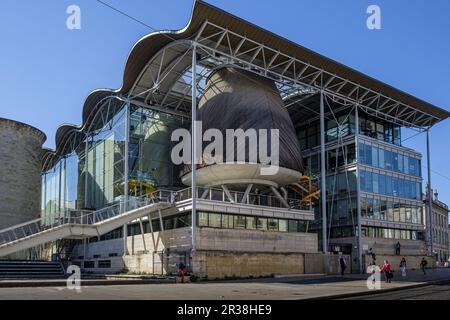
(158, 73)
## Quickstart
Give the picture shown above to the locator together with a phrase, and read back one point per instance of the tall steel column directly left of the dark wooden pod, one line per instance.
(194, 145)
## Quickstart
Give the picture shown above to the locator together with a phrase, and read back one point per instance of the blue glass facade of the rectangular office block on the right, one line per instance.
(390, 184)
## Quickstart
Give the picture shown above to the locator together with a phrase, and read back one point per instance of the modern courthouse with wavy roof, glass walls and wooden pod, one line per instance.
(113, 199)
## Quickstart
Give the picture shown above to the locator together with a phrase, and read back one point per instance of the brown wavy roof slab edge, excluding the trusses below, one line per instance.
(149, 45)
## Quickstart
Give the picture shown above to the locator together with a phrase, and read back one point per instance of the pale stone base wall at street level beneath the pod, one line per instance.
(220, 253)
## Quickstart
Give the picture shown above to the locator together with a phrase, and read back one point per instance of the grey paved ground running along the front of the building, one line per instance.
(256, 289)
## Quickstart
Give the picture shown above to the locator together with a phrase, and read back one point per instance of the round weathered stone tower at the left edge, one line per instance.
(20, 172)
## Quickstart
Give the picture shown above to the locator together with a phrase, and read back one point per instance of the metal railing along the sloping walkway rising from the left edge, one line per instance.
(82, 217)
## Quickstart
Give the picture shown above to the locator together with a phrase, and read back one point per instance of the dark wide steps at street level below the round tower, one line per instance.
(10, 269)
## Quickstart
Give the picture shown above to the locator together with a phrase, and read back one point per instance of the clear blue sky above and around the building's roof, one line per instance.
(47, 70)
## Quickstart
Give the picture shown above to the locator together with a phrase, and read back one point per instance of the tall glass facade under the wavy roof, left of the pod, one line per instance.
(149, 166)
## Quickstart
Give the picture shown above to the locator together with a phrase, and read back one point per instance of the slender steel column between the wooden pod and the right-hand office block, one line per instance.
(323, 175)
